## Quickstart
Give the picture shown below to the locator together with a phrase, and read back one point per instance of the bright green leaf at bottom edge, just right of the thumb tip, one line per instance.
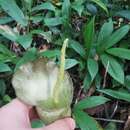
(85, 122)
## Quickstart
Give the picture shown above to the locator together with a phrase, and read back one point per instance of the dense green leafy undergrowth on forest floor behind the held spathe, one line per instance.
(97, 56)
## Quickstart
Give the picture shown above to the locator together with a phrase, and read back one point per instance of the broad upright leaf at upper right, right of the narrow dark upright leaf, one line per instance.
(106, 31)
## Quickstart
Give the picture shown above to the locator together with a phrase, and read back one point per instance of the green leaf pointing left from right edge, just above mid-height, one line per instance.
(119, 52)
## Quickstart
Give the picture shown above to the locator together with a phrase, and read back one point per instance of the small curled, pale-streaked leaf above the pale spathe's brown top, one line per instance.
(47, 35)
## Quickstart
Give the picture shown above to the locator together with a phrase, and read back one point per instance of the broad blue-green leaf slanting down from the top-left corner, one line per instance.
(12, 9)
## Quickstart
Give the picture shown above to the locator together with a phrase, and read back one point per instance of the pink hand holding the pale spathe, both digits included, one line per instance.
(16, 116)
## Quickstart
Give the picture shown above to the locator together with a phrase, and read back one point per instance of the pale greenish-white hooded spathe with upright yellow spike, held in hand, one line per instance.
(41, 83)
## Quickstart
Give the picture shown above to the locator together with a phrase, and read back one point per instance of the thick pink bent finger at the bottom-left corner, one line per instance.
(16, 113)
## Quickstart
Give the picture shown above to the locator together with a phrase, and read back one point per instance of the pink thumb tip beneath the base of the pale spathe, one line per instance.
(63, 124)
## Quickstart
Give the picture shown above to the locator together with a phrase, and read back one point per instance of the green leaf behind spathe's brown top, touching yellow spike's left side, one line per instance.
(50, 53)
